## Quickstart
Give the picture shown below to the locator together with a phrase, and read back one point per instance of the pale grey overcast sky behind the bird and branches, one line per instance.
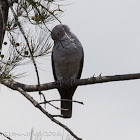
(110, 35)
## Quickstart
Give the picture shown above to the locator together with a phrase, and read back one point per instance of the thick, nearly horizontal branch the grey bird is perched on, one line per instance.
(79, 82)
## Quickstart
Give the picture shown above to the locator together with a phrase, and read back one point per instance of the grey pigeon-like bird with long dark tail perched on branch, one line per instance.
(67, 64)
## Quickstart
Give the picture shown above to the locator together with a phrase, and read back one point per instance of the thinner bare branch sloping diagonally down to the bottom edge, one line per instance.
(37, 105)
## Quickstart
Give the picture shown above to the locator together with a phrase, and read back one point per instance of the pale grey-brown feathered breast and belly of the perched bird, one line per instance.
(67, 62)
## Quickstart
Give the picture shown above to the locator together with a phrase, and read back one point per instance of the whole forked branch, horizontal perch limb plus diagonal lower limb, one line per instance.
(22, 88)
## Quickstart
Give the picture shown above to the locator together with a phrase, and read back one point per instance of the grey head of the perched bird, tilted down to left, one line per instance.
(59, 31)
